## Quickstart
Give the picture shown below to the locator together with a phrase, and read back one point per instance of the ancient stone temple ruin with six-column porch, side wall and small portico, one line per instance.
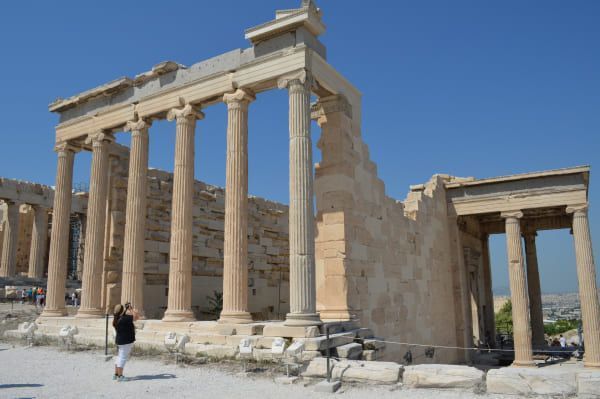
(365, 264)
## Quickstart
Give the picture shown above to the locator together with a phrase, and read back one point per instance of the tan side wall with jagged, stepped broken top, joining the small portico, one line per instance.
(381, 261)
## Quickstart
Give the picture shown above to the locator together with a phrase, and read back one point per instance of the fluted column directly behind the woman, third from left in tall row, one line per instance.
(135, 216)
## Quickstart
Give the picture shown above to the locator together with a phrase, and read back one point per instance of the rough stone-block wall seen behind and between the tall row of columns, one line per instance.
(268, 285)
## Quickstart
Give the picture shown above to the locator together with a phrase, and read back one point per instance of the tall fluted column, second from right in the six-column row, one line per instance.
(235, 266)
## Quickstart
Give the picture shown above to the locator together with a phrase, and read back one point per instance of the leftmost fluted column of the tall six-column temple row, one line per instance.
(59, 235)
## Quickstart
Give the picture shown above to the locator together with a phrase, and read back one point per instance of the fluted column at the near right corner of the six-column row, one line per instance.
(301, 211)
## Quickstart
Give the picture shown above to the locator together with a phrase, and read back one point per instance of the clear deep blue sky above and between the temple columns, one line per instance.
(468, 88)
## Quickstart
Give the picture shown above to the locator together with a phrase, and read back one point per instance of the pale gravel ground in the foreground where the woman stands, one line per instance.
(49, 372)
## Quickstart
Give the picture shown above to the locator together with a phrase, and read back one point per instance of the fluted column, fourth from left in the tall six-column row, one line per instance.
(179, 306)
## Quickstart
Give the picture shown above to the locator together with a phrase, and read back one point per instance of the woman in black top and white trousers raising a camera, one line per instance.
(124, 316)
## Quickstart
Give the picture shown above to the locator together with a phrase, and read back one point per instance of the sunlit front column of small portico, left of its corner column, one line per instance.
(518, 290)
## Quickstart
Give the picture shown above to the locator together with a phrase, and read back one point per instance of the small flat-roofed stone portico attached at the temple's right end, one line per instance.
(519, 206)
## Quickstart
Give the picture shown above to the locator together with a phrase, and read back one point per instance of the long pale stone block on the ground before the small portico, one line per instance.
(531, 381)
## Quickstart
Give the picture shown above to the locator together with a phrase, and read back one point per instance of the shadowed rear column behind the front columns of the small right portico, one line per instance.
(535, 292)
